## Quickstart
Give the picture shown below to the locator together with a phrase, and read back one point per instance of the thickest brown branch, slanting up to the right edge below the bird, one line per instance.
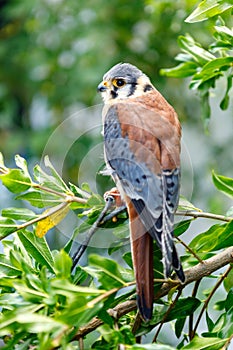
(193, 274)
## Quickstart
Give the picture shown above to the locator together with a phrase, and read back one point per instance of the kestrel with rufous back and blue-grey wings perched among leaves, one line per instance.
(142, 135)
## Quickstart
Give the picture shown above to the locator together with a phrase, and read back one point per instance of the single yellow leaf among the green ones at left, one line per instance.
(50, 218)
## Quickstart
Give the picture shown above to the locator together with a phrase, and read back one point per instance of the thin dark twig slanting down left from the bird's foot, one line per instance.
(76, 257)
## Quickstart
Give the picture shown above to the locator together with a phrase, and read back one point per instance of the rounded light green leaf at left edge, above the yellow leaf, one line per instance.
(16, 181)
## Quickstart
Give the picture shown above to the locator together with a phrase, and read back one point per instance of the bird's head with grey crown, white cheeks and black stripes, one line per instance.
(123, 81)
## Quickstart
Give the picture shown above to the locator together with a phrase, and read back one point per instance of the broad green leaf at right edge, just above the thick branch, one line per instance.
(218, 236)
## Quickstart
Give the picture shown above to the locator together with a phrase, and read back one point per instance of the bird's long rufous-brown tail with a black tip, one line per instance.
(142, 254)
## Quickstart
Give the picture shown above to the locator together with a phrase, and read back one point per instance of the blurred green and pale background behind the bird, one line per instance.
(53, 54)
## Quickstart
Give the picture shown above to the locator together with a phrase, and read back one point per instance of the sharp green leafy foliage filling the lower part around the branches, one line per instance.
(45, 302)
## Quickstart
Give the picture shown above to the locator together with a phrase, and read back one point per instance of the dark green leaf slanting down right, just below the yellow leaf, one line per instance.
(37, 248)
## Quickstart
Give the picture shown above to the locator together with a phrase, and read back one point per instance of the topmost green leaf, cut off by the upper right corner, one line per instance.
(207, 9)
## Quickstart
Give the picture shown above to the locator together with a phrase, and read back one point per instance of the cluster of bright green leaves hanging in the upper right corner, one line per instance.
(206, 66)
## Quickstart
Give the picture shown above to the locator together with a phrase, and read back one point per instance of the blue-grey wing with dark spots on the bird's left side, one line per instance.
(135, 178)
